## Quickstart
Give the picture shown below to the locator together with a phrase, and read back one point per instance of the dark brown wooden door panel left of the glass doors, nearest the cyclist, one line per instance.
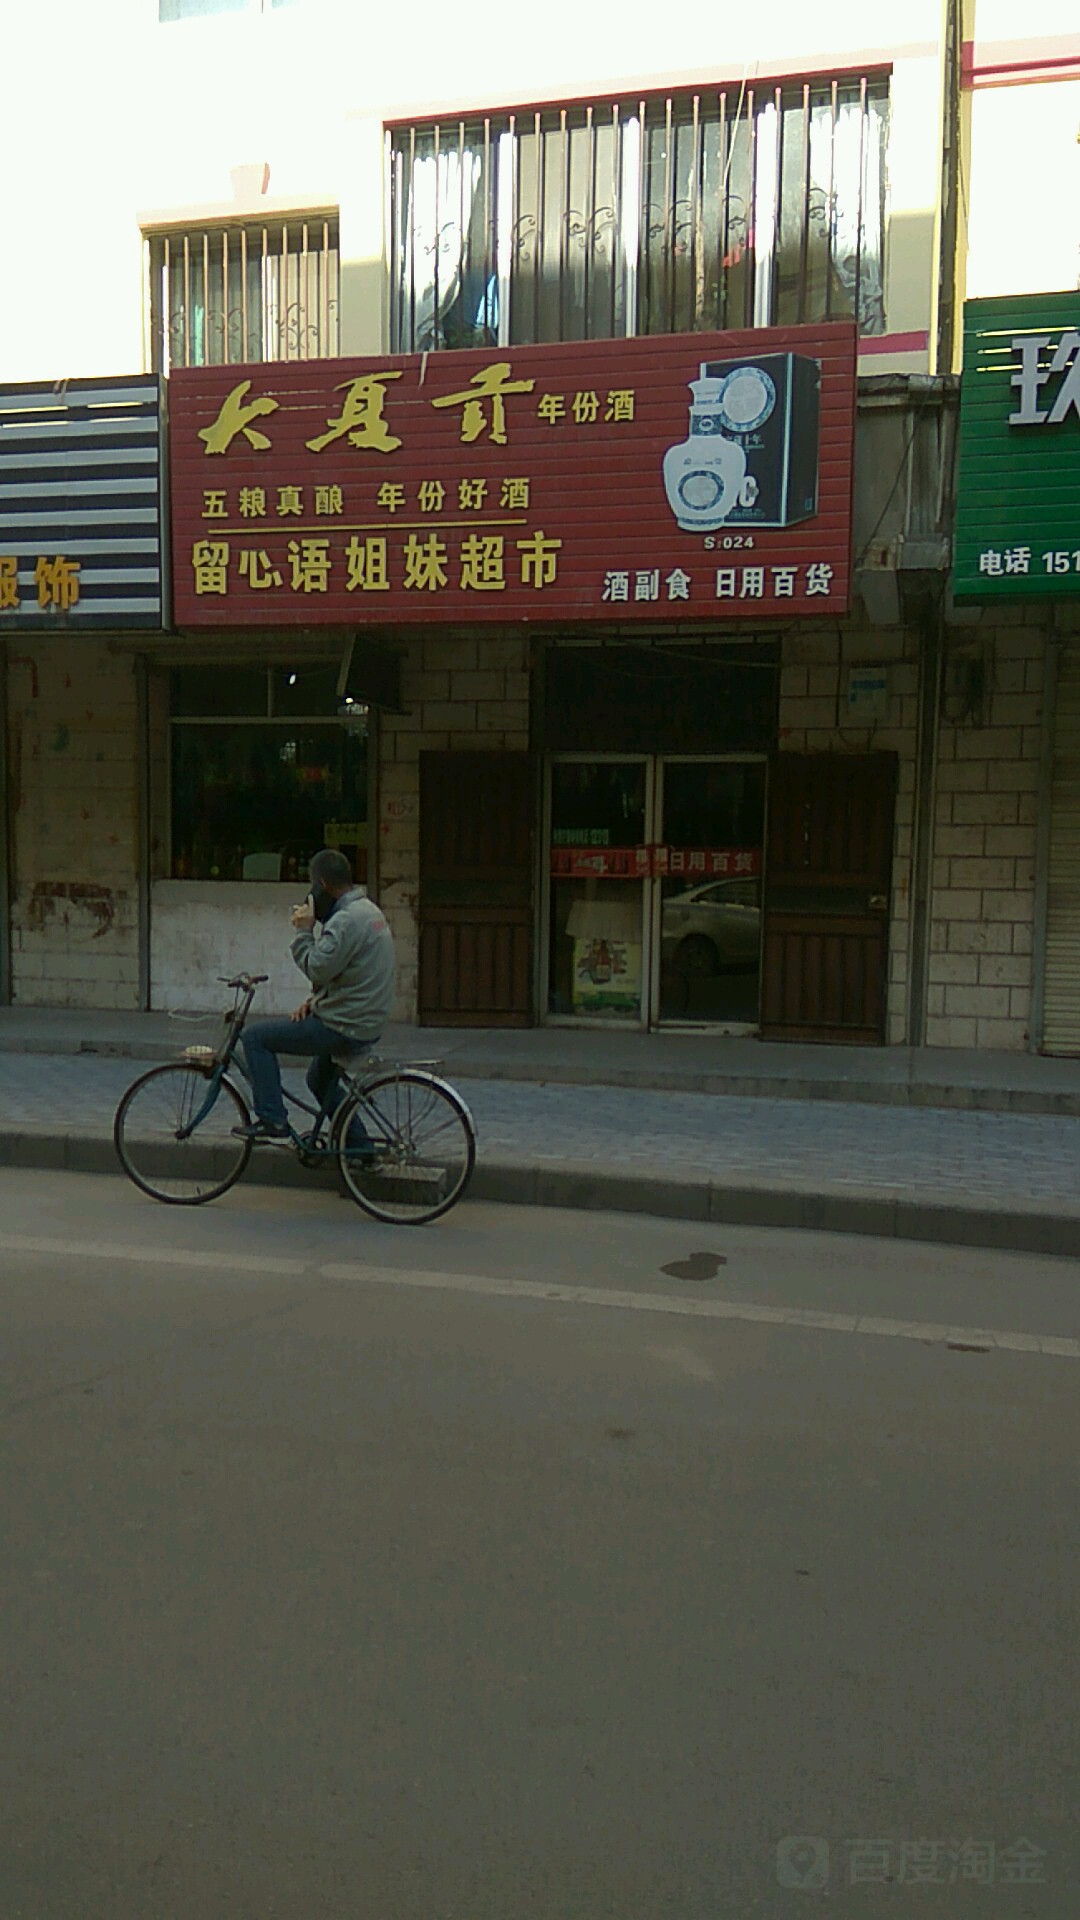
(476, 890)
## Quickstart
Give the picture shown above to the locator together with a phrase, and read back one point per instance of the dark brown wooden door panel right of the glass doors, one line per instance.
(827, 892)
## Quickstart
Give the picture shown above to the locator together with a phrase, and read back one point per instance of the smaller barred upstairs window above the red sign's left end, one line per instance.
(243, 293)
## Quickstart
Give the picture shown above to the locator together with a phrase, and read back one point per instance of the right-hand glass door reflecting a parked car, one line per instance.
(708, 863)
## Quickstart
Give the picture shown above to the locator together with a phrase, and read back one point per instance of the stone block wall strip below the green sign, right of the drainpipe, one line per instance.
(985, 844)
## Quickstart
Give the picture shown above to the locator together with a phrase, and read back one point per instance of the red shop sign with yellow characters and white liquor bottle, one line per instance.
(662, 479)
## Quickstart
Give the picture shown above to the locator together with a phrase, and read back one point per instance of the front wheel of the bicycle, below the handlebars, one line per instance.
(157, 1149)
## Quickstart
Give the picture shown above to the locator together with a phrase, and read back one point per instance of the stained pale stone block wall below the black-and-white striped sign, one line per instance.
(74, 807)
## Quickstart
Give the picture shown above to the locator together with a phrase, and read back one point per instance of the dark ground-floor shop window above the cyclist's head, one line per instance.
(260, 773)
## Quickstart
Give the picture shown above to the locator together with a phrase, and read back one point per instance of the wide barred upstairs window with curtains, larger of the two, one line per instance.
(749, 208)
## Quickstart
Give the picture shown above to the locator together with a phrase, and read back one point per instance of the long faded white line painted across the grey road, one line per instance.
(497, 1287)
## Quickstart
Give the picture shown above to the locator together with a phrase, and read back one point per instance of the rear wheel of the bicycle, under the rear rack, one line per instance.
(422, 1147)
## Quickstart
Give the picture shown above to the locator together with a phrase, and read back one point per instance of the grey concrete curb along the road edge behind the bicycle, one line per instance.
(889, 1214)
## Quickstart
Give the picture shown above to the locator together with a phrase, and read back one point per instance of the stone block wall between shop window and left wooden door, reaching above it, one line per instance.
(464, 692)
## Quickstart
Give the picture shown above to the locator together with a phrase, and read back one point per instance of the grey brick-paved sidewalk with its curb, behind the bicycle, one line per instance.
(785, 1163)
